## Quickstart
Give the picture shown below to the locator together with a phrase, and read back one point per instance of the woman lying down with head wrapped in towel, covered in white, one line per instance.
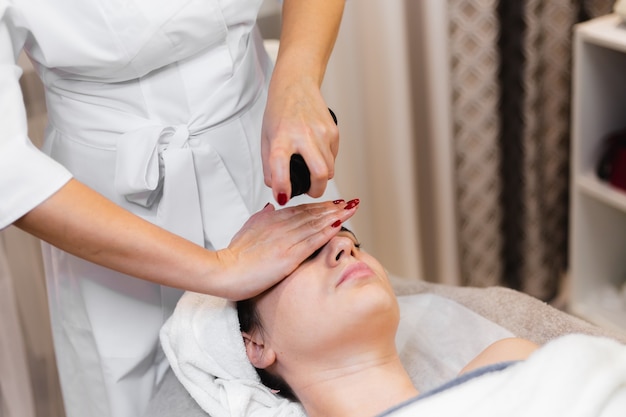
(322, 342)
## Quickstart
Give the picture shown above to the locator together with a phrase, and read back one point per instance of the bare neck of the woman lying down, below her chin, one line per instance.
(362, 390)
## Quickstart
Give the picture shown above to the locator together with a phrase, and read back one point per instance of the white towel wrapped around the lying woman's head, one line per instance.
(202, 341)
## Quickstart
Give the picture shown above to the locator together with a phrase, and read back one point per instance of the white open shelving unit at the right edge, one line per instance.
(598, 212)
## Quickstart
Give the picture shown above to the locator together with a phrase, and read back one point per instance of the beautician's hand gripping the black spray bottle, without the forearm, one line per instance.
(297, 121)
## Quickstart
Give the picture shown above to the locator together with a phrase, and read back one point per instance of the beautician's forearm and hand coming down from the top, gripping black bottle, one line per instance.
(296, 117)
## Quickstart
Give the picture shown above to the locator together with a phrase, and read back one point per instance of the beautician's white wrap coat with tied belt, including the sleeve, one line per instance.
(156, 104)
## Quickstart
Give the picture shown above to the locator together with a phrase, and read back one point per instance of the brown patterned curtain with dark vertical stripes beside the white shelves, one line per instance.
(510, 76)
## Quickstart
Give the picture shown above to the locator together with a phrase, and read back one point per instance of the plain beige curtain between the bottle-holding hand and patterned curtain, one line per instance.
(388, 81)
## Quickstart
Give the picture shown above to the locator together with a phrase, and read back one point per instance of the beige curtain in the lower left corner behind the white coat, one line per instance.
(29, 384)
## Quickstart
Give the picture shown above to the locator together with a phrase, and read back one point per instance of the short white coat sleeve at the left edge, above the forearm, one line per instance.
(27, 175)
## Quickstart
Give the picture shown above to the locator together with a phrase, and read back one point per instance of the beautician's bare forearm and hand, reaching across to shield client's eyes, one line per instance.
(269, 246)
